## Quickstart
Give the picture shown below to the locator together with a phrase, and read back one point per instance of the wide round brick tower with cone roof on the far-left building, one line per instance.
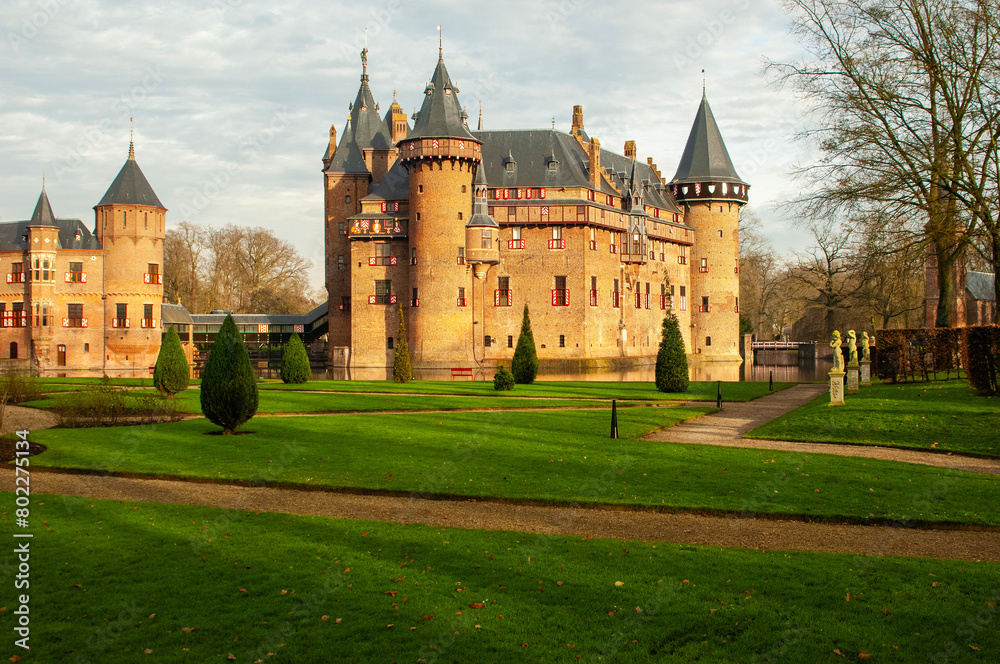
(130, 225)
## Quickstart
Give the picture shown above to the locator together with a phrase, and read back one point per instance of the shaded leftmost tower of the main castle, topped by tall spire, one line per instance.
(361, 160)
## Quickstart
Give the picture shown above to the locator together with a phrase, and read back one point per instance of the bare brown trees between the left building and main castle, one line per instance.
(246, 270)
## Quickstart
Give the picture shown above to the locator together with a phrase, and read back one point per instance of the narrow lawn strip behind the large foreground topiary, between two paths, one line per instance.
(275, 401)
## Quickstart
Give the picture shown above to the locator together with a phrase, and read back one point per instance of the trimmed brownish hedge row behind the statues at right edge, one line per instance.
(924, 354)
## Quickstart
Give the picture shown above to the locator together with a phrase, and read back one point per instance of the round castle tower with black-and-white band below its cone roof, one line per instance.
(707, 185)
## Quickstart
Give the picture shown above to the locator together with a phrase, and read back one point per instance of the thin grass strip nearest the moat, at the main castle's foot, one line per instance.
(697, 391)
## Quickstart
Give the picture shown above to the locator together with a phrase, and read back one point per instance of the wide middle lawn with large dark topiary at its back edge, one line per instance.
(555, 456)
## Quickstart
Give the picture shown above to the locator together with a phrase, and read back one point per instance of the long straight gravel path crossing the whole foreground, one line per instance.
(677, 528)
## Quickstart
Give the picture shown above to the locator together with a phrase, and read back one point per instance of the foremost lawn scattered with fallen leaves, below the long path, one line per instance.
(196, 584)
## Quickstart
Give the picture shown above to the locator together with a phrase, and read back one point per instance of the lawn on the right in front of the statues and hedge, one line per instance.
(945, 416)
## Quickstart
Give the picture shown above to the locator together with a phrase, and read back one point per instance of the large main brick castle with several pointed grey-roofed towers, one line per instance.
(459, 229)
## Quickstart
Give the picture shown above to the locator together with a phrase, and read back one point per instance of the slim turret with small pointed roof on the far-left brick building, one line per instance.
(43, 240)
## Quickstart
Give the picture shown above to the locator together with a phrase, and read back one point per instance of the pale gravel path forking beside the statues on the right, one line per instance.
(726, 428)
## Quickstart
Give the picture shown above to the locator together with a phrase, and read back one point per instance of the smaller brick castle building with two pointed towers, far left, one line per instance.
(80, 303)
